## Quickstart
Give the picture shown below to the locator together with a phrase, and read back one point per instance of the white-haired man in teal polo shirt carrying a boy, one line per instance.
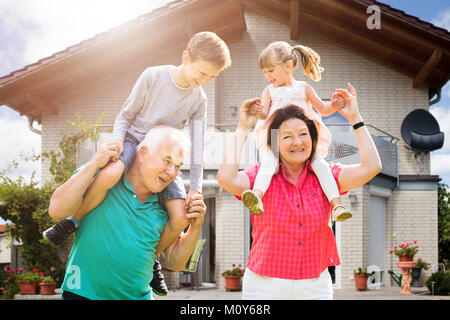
(114, 250)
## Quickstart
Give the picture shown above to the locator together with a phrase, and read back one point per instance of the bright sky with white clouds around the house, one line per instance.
(34, 29)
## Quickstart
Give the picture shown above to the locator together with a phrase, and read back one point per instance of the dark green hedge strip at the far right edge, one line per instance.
(444, 221)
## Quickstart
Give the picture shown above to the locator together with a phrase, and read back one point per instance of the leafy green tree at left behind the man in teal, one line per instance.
(25, 204)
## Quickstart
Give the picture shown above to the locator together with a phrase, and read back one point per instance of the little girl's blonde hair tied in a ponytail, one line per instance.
(280, 52)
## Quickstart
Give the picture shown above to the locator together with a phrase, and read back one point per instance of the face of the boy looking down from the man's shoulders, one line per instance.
(200, 72)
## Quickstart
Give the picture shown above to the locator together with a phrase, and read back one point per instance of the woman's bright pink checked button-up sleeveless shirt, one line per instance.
(292, 239)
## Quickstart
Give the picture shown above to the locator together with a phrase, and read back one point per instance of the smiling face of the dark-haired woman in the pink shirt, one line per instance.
(295, 142)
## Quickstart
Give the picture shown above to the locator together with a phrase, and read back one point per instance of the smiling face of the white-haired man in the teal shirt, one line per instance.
(160, 167)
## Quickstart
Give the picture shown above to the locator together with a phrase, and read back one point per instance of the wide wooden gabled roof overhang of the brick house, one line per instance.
(404, 43)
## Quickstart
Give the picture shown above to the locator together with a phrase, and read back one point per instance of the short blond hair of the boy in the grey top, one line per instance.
(209, 47)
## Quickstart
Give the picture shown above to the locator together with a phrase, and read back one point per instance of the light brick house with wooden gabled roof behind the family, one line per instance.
(396, 69)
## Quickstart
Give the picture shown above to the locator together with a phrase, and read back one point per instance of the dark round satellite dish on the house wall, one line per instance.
(421, 131)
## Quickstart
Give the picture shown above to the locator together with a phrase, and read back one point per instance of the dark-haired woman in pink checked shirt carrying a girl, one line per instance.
(293, 243)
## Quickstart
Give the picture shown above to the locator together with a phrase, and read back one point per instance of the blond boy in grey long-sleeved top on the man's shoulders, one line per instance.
(163, 95)
